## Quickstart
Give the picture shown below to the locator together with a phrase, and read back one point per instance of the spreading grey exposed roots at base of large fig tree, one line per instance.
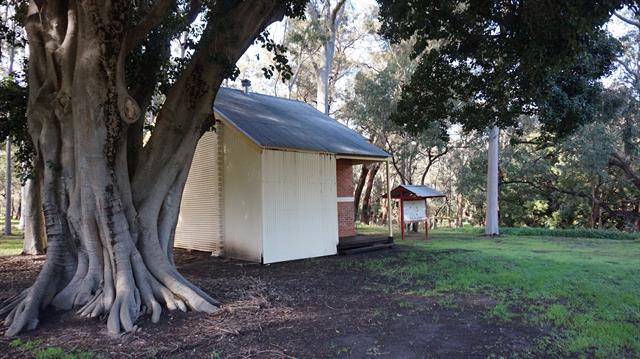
(122, 296)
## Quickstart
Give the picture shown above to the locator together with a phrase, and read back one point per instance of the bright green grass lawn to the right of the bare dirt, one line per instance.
(586, 289)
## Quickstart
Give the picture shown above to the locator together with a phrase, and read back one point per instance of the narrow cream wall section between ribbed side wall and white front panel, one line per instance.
(242, 197)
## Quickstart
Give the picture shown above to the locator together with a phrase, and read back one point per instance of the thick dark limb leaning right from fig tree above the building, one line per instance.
(188, 106)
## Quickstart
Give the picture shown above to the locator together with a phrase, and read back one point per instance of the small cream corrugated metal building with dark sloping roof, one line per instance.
(272, 182)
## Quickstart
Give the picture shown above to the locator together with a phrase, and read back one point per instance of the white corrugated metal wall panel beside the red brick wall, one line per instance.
(299, 212)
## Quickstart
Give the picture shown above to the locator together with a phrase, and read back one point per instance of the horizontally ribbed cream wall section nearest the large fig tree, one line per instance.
(199, 223)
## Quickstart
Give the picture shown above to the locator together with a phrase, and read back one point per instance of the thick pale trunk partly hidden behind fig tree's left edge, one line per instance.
(35, 238)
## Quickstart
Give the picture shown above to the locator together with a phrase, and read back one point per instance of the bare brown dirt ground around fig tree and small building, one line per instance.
(317, 308)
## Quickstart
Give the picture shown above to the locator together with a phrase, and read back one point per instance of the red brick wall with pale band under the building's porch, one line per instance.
(346, 215)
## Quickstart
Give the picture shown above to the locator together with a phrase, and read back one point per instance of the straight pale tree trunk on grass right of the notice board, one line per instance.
(492, 226)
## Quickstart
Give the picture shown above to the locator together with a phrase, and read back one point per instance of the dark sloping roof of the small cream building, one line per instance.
(276, 122)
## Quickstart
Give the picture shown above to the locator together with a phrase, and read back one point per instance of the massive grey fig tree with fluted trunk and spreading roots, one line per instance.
(110, 199)
